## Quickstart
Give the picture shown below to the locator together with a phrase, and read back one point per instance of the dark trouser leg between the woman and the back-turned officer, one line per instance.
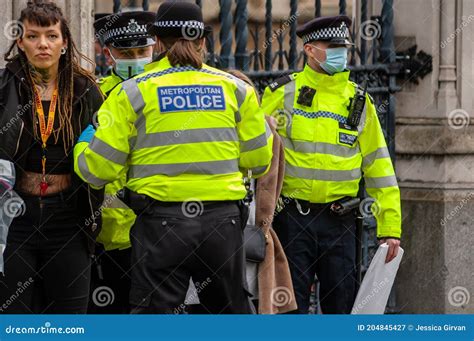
(111, 280)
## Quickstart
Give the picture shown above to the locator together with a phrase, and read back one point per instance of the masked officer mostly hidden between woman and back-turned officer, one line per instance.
(128, 44)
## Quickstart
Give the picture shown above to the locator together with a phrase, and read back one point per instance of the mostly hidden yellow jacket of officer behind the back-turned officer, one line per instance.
(117, 217)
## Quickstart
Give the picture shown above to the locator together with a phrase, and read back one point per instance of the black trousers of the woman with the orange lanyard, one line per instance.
(47, 263)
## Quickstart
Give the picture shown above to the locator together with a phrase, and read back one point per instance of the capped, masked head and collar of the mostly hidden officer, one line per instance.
(128, 46)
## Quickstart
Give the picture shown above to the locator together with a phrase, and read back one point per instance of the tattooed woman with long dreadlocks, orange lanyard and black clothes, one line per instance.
(46, 100)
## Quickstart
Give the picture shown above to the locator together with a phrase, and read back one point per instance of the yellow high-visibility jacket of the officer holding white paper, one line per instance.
(326, 158)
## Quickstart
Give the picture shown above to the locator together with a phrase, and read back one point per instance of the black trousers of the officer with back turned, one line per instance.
(169, 245)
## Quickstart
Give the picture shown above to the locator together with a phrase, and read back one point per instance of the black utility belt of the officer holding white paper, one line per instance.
(339, 207)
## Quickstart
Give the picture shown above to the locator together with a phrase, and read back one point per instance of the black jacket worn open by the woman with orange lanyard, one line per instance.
(16, 135)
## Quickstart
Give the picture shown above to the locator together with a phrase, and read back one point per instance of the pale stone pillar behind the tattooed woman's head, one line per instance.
(78, 12)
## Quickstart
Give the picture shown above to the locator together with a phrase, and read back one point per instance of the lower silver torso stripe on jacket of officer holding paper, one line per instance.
(323, 174)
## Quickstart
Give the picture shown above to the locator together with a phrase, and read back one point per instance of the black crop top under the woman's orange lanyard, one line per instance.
(57, 161)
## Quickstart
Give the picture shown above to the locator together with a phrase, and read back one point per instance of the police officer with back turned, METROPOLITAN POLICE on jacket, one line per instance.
(184, 132)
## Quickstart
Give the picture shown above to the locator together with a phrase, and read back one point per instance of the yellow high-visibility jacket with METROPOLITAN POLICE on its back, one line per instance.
(180, 133)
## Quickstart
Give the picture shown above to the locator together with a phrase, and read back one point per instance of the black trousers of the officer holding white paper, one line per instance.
(324, 244)
